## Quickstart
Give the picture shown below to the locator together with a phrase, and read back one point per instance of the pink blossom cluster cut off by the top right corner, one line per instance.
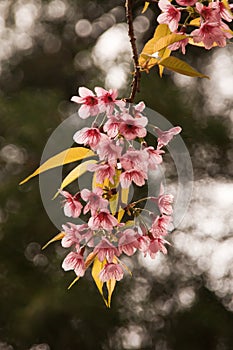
(184, 15)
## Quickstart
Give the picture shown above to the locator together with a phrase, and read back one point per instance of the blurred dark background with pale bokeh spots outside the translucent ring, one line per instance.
(176, 302)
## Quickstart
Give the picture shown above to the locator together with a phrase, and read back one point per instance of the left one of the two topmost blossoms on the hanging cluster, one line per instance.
(89, 103)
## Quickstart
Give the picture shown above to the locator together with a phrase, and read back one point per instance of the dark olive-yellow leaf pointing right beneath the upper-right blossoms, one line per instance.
(179, 66)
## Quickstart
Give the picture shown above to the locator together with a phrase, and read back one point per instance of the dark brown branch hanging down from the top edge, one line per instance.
(137, 74)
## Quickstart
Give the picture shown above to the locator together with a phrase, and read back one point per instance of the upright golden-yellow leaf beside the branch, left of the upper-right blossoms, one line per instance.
(146, 60)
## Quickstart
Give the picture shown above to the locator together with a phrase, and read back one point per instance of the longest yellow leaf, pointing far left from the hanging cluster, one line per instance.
(67, 156)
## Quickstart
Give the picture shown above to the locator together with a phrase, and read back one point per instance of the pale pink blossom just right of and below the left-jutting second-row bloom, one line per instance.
(109, 151)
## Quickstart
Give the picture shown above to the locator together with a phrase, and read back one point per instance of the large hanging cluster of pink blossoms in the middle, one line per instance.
(114, 226)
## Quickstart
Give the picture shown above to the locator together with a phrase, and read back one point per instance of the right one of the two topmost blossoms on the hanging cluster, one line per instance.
(107, 100)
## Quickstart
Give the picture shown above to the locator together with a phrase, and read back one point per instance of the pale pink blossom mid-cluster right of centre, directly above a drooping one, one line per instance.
(134, 159)
